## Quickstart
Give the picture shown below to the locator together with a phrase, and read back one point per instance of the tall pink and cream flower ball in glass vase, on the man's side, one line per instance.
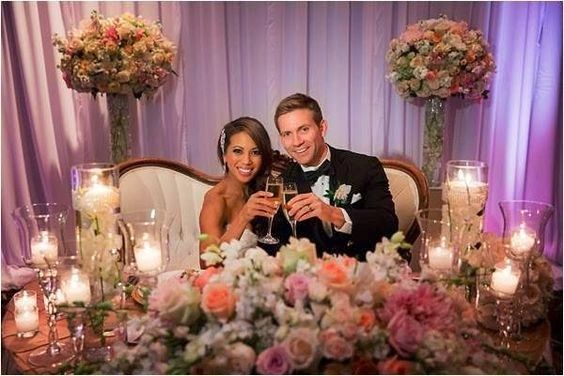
(436, 59)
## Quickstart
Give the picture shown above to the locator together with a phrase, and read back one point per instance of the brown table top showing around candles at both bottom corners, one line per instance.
(533, 346)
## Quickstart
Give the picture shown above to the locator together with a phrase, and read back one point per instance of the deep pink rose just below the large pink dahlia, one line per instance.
(405, 333)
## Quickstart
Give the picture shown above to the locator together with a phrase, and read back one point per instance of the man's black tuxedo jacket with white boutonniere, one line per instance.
(372, 216)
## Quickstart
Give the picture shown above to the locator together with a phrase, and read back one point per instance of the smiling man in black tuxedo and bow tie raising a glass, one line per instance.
(343, 203)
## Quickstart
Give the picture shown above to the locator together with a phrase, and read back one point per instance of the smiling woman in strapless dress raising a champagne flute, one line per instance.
(231, 207)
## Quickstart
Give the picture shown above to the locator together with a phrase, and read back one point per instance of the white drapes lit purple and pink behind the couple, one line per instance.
(238, 58)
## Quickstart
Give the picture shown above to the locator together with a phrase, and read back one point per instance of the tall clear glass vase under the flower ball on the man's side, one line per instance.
(433, 140)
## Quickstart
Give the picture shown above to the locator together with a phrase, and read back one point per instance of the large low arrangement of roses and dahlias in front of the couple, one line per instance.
(294, 313)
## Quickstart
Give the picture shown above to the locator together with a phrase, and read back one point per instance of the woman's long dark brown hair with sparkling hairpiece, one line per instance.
(259, 135)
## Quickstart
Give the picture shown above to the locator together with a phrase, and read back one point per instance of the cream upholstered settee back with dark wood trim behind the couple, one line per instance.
(179, 190)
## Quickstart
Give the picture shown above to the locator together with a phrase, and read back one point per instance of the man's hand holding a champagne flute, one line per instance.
(307, 205)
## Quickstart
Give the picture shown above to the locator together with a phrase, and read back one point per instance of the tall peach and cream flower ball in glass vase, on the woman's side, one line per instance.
(117, 56)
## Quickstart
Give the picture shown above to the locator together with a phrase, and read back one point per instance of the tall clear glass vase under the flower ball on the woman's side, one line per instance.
(120, 131)
